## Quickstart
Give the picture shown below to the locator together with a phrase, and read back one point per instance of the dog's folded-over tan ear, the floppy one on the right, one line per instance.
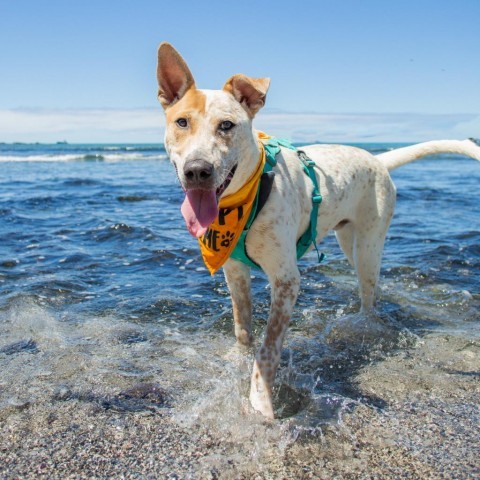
(249, 92)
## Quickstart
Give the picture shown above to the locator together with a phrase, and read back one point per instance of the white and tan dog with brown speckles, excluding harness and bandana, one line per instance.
(211, 142)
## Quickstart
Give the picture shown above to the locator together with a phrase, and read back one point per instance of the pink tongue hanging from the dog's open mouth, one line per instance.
(199, 209)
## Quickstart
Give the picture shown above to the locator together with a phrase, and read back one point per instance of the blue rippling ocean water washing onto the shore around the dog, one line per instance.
(102, 289)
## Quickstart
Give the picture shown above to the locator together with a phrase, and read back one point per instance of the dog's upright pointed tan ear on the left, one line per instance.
(173, 75)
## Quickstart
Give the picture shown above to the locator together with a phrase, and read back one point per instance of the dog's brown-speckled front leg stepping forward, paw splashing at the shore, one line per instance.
(285, 286)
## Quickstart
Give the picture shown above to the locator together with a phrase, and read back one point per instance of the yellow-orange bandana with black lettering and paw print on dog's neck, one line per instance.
(223, 233)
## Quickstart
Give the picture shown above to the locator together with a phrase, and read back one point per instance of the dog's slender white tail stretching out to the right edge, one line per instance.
(402, 156)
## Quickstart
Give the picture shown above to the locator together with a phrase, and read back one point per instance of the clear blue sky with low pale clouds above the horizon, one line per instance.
(345, 70)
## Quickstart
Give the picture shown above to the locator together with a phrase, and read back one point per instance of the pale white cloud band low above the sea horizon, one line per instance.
(147, 125)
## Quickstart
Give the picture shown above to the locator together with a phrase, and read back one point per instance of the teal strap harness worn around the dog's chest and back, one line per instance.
(272, 149)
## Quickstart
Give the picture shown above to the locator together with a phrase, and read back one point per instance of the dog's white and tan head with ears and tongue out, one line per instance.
(208, 136)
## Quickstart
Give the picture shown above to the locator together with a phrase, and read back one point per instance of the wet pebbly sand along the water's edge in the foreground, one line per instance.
(420, 421)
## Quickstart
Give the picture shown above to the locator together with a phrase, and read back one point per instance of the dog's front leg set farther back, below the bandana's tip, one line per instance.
(238, 281)
